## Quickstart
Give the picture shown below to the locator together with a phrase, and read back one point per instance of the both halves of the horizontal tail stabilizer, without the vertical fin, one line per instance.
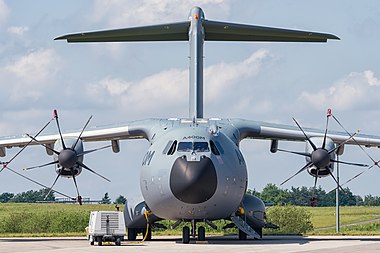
(214, 31)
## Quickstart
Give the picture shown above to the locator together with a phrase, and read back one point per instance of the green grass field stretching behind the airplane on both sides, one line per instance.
(21, 219)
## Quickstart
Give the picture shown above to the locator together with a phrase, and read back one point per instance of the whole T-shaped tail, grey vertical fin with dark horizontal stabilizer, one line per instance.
(197, 30)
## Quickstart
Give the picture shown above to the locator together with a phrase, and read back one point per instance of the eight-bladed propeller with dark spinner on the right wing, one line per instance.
(320, 157)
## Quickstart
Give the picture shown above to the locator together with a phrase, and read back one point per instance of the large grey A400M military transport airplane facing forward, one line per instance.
(194, 171)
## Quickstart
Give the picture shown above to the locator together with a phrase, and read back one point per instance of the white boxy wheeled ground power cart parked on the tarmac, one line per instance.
(106, 226)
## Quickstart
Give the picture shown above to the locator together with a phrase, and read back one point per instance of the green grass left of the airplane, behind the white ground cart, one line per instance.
(22, 219)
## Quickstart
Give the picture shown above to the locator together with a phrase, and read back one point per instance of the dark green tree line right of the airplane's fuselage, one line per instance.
(303, 196)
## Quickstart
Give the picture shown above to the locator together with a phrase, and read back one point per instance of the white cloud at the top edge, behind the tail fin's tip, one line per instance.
(119, 13)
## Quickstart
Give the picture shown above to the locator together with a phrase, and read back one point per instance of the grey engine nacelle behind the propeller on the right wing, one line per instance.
(329, 145)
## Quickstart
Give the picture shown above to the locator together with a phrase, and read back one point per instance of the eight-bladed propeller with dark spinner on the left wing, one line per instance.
(68, 159)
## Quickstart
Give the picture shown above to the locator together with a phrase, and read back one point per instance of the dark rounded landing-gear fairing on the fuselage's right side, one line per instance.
(254, 212)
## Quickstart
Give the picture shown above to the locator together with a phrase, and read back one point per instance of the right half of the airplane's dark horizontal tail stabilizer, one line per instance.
(222, 31)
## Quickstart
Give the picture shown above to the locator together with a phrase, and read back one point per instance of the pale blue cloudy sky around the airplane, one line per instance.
(122, 82)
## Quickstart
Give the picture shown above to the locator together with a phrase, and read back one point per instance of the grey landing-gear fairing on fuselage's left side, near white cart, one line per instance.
(134, 214)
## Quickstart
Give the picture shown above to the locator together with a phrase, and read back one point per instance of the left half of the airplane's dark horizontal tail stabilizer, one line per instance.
(164, 32)
